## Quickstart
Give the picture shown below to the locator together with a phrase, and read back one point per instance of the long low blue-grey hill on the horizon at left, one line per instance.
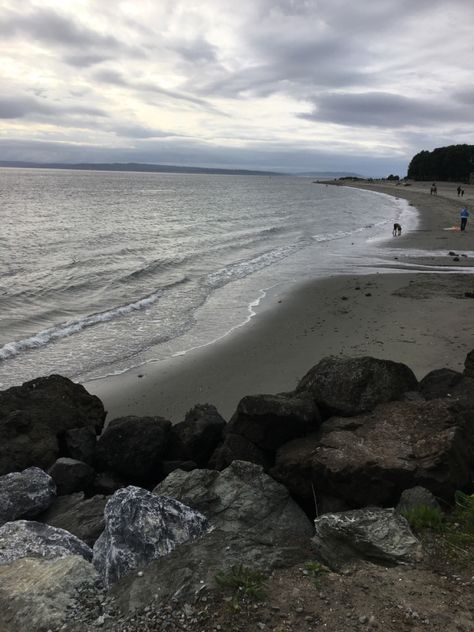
(134, 166)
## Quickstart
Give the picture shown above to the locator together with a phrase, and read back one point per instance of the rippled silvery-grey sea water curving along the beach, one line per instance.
(102, 271)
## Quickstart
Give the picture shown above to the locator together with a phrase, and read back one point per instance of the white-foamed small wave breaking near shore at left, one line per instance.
(44, 337)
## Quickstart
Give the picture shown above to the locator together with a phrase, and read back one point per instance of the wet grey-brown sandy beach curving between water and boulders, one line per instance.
(415, 311)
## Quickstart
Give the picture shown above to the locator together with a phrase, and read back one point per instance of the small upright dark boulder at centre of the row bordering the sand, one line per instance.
(196, 438)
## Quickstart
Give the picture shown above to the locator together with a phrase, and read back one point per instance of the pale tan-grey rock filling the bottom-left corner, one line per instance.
(38, 594)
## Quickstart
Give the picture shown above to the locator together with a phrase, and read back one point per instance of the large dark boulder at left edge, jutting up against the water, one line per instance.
(34, 416)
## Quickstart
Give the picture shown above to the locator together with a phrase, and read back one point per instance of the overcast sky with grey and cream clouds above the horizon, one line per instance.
(292, 85)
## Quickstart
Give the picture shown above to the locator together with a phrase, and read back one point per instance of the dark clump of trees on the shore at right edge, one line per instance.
(454, 163)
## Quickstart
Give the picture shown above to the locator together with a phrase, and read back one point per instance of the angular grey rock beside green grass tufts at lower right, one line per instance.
(374, 534)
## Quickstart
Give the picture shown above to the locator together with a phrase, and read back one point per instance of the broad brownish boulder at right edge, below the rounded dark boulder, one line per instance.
(372, 458)
